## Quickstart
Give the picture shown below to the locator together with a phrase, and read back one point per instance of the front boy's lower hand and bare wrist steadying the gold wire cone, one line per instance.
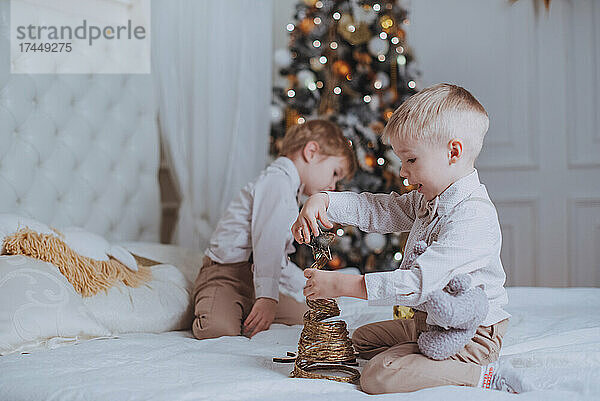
(327, 284)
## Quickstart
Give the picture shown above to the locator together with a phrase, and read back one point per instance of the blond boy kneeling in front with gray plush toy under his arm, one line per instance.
(437, 133)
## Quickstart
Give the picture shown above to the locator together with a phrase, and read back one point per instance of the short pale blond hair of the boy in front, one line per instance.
(438, 114)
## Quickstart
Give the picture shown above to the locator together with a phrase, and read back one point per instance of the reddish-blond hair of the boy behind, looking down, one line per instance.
(328, 135)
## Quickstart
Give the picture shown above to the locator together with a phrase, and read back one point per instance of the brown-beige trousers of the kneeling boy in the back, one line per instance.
(224, 296)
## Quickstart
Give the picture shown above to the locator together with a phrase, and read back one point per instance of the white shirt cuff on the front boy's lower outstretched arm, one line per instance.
(393, 288)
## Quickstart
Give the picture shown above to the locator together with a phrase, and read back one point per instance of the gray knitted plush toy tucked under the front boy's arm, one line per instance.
(459, 308)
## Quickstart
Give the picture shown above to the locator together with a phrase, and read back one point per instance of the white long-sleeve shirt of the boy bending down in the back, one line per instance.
(258, 222)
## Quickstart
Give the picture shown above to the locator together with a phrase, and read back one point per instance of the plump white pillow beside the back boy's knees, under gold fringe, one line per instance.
(160, 305)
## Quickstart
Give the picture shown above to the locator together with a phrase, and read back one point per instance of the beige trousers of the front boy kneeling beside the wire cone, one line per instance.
(396, 365)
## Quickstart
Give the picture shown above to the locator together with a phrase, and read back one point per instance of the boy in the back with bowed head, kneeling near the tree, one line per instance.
(237, 290)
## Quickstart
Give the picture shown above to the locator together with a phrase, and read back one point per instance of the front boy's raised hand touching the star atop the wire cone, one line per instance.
(314, 208)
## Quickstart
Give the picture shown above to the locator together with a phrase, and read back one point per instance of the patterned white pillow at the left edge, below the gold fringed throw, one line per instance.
(38, 305)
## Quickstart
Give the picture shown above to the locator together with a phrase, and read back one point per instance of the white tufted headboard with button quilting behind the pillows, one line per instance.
(79, 150)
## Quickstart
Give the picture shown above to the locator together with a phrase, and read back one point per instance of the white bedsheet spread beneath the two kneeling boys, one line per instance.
(553, 339)
